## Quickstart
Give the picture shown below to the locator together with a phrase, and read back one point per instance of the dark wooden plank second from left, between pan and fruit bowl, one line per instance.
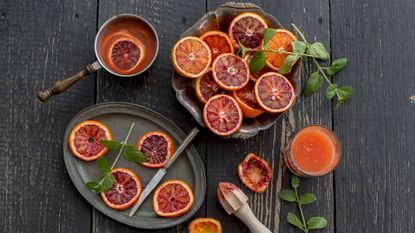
(152, 89)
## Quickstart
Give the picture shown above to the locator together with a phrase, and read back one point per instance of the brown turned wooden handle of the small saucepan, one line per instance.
(64, 84)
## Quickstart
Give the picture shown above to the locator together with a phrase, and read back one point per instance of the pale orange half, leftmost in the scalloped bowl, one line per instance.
(191, 57)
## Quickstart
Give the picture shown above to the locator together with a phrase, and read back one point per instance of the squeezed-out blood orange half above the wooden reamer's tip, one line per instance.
(255, 173)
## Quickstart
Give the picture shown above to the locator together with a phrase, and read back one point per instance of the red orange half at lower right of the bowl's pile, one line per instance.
(274, 92)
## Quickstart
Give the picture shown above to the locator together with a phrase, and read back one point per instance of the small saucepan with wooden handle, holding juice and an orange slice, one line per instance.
(126, 45)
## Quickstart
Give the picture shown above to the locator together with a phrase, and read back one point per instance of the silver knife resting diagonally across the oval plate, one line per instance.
(162, 172)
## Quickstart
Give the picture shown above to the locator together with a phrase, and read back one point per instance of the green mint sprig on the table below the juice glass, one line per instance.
(289, 195)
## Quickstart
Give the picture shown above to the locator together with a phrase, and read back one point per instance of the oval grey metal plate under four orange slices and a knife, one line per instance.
(118, 117)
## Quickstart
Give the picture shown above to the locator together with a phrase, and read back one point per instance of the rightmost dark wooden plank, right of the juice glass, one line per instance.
(376, 180)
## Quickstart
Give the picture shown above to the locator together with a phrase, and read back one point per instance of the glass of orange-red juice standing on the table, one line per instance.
(314, 151)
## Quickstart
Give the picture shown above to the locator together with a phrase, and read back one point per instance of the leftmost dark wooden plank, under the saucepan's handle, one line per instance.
(41, 41)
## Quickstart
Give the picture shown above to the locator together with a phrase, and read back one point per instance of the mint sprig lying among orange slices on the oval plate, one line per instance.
(131, 153)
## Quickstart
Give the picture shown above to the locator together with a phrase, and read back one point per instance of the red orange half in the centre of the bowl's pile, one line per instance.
(230, 71)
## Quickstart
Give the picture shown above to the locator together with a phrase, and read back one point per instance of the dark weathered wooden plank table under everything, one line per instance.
(371, 191)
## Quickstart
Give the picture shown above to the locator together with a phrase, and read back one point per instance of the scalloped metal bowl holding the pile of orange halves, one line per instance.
(220, 20)
